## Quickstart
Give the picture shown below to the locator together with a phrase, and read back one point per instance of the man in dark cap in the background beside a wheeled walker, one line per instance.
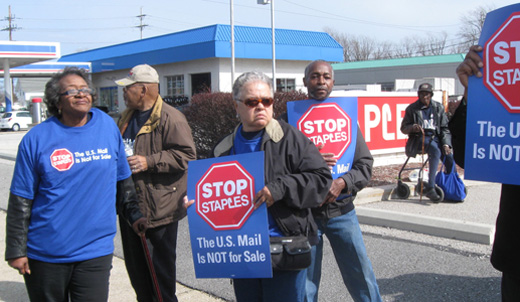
(428, 117)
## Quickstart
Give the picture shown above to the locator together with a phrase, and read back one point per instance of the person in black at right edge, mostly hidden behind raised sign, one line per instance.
(504, 256)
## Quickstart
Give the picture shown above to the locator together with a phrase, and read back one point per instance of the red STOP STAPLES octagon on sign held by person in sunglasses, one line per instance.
(225, 196)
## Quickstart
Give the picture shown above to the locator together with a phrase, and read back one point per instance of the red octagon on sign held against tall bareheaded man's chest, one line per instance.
(327, 125)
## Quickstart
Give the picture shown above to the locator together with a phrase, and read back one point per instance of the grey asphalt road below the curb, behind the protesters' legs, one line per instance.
(408, 266)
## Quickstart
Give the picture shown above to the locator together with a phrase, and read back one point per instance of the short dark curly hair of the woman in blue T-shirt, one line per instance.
(53, 88)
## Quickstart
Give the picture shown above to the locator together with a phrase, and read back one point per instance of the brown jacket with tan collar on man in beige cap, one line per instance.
(166, 141)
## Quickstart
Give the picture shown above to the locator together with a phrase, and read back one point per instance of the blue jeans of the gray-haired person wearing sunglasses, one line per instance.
(284, 286)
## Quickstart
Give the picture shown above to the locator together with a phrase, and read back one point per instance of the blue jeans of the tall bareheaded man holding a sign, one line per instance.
(347, 244)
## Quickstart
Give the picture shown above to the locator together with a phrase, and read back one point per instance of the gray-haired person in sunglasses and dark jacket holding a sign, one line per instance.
(296, 176)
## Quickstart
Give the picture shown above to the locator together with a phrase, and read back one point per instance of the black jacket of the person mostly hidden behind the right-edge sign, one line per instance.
(505, 255)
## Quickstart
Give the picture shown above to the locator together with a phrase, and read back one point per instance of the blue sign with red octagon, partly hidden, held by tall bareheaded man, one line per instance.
(331, 125)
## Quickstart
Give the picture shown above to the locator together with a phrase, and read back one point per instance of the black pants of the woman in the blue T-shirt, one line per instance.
(84, 281)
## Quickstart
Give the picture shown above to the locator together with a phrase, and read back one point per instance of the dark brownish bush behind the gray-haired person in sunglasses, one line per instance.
(212, 115)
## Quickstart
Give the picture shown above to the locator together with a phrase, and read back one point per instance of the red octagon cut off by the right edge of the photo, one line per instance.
(502, 64)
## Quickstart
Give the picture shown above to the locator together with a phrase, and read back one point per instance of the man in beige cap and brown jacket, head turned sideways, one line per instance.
(159, 146)
